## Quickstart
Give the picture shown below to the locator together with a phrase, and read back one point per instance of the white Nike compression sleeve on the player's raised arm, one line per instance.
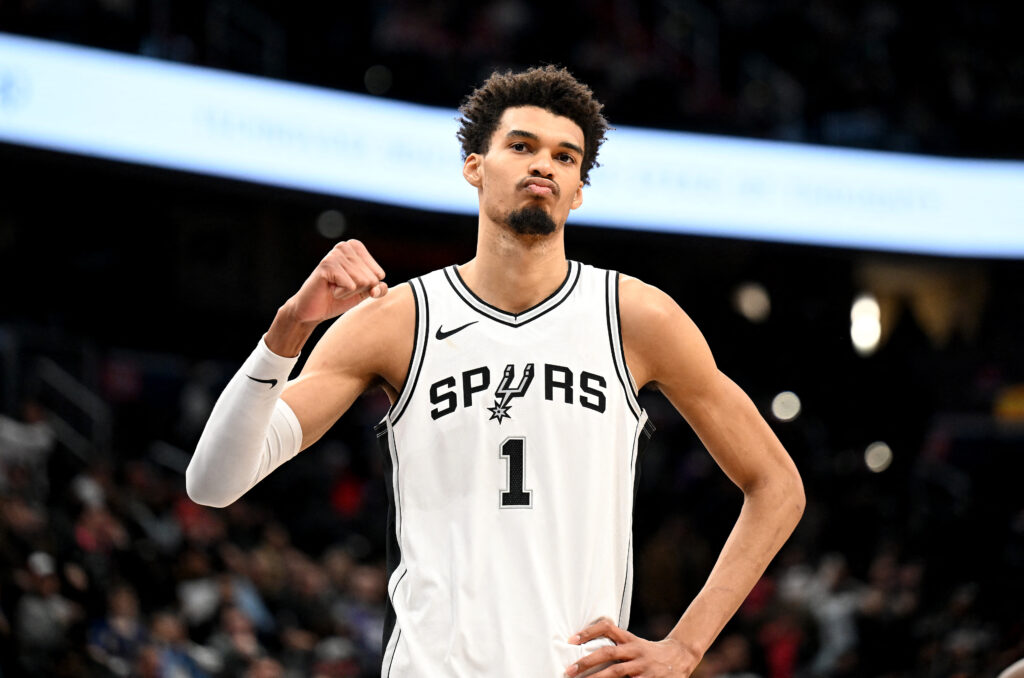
(251, 432)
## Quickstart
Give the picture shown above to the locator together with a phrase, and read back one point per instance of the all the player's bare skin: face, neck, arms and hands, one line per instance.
(371, 344)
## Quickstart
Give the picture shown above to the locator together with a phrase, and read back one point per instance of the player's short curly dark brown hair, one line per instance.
(549, 88)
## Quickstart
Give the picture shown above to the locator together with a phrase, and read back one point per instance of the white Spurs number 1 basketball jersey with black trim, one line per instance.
(513, 452)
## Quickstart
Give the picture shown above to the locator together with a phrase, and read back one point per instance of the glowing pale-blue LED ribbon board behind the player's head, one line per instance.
(140, 110)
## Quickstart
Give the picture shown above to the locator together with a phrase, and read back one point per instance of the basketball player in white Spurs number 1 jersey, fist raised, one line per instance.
(515, 431)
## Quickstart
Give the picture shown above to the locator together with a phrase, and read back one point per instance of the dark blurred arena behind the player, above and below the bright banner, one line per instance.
(131, 294)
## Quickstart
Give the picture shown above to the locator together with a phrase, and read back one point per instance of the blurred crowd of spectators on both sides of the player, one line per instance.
(107, 569)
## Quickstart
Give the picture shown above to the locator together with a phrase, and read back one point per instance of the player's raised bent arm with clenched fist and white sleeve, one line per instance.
(260, 422)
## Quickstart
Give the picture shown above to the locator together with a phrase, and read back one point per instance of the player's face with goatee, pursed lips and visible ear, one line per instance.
(529, 180)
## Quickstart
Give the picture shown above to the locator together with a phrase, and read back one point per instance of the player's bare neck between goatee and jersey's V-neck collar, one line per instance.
(513, 272)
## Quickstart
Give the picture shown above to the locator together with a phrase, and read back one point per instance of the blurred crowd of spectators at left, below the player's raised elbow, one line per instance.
(109, 570)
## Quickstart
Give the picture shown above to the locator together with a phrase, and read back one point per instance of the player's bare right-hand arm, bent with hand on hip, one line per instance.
(665, 349)
